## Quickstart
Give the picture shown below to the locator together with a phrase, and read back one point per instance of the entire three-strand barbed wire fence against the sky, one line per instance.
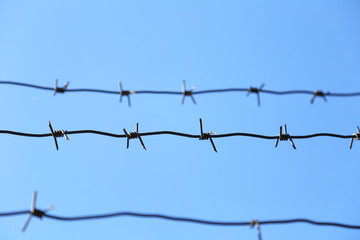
(282, 136)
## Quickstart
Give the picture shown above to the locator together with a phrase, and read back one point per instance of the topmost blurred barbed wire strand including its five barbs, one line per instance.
(185, 92)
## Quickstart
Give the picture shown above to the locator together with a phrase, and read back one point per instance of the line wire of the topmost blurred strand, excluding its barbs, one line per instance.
(353, 94)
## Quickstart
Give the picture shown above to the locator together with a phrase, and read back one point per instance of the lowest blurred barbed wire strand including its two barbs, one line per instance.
(43, 214)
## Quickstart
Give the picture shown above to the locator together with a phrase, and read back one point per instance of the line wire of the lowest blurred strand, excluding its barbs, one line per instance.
(183, 219)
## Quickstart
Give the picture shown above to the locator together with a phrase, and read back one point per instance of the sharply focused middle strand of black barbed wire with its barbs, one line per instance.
(282, 136)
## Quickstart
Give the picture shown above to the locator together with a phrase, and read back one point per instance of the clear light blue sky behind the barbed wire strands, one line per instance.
(154, 45)
